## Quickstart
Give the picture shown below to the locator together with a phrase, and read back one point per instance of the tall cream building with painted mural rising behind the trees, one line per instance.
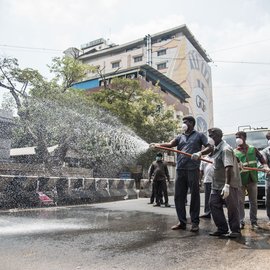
(175, 54)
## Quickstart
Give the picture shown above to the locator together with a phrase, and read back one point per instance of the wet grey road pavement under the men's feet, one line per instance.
(123, 235)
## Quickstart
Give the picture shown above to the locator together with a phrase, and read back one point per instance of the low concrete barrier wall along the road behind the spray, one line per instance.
(21, 191)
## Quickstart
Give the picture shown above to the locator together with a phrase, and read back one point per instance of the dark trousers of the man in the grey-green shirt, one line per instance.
(217, 211)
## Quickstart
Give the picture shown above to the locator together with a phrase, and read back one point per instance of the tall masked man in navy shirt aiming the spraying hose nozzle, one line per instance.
(187, 172)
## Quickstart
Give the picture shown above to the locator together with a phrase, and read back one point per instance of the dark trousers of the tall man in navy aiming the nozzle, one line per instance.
(187, 179)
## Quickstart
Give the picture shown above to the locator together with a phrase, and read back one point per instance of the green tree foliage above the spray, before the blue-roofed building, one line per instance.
(142, 110)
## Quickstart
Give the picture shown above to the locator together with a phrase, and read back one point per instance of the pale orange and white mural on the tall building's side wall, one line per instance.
(188, 68)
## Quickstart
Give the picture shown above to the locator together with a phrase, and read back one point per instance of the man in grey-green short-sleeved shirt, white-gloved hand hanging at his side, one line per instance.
(225, 188)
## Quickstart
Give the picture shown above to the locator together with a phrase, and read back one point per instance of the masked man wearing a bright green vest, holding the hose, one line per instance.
(248, 156)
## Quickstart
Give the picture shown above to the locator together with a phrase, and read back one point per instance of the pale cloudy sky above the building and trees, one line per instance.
(234, 33)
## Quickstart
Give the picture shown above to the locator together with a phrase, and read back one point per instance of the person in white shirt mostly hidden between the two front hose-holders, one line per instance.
(206, 174)
